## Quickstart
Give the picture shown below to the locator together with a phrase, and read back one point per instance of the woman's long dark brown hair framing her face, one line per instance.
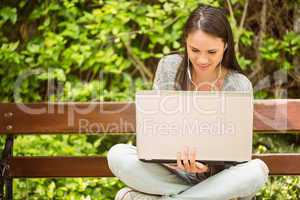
(212, 21)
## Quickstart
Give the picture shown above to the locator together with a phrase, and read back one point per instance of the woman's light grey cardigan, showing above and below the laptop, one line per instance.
(165, 79)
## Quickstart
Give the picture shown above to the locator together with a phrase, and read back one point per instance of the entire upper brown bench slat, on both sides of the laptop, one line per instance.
(97, 117)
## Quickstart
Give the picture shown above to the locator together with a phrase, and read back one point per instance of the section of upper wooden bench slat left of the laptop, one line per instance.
(67, 118)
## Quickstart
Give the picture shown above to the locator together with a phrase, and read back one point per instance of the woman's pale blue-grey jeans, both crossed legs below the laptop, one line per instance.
(242, 180)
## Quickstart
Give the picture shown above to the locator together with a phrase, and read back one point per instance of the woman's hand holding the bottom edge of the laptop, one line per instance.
(186, 160)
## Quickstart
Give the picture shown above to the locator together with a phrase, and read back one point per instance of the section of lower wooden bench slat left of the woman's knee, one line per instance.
(35, 167)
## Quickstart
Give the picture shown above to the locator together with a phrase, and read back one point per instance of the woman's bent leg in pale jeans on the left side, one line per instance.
(149, 178)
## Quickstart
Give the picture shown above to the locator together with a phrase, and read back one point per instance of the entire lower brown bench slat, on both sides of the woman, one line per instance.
(35, 167)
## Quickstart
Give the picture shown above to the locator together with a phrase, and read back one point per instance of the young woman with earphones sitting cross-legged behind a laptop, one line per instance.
(208, 63)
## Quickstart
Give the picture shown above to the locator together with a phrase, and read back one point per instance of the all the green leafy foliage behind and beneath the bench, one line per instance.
(106, 50)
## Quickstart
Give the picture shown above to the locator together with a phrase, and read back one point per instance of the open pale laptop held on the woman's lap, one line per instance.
(217, 124)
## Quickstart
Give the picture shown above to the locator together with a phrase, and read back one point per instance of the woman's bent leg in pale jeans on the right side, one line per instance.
(242, 180)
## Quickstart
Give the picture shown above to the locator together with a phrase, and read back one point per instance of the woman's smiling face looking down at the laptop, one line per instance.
(205, 53)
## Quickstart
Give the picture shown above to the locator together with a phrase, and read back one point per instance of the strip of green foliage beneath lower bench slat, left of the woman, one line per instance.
(68, 189)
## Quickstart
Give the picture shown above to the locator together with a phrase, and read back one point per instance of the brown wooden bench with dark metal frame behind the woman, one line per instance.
(270, 116)
